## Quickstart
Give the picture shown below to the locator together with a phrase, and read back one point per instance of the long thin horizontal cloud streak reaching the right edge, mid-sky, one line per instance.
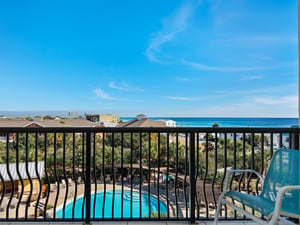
(203, 67)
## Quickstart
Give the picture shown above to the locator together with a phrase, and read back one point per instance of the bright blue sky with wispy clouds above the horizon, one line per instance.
(225, 58)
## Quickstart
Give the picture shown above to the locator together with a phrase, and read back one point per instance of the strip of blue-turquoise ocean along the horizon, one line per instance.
(227, 122)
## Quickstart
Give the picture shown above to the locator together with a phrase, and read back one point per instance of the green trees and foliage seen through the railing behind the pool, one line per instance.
(68, 151)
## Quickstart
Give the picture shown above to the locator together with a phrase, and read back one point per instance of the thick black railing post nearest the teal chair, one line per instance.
(192, 173)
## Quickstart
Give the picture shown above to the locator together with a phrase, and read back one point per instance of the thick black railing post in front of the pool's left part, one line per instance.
(87, 190)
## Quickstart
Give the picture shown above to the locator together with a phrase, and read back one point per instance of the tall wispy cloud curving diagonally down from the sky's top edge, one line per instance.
(172, 26)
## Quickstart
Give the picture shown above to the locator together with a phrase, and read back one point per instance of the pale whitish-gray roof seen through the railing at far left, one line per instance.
(22, 170)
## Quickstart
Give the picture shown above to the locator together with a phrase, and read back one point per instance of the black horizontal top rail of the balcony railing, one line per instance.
(150, 129)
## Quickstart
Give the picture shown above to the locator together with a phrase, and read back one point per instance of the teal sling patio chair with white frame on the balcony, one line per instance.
(280, 195)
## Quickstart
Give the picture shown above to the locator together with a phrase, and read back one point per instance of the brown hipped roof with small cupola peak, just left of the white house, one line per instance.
(142, 121)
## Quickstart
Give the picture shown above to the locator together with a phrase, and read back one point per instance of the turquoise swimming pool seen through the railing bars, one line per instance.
(115, 212)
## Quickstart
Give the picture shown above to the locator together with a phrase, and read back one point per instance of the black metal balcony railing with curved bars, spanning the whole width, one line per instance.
(94, 174)
